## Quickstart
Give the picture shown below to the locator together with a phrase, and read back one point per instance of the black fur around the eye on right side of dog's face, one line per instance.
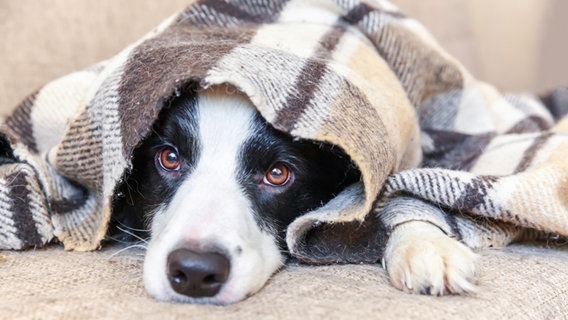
(320, 172)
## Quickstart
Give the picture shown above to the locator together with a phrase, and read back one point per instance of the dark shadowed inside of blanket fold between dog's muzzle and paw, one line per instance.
(344, 242)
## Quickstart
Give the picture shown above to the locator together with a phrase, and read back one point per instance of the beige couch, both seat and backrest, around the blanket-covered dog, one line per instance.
(43, 39)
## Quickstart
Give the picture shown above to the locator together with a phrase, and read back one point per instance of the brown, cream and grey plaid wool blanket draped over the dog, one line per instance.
(432, 143)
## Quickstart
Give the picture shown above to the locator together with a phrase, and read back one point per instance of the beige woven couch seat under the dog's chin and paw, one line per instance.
(519, 282)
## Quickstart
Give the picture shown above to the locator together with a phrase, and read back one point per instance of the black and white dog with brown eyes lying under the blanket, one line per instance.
(215, 186)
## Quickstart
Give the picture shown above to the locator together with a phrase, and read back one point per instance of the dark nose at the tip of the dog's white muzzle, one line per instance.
(197, 274)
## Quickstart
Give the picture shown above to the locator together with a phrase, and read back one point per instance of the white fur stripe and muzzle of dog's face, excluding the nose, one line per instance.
(211, 209)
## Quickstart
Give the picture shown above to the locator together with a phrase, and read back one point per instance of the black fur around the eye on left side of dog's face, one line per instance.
(143, 189)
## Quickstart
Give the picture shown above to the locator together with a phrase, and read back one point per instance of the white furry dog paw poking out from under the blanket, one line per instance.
(420, 258)
